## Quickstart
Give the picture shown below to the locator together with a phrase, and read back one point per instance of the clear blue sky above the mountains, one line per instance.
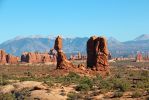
(122, 19)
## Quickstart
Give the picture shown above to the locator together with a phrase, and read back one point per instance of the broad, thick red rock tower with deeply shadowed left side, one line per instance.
(97, 54)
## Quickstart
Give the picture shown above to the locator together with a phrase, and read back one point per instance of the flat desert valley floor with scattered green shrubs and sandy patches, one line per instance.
(128, 80)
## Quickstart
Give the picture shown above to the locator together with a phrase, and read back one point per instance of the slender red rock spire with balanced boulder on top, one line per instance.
(62, 62)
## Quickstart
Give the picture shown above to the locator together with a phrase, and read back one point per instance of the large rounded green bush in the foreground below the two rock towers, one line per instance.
(85, 84)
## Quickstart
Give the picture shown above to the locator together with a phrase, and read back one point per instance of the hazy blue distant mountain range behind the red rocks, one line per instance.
(74, 45)
